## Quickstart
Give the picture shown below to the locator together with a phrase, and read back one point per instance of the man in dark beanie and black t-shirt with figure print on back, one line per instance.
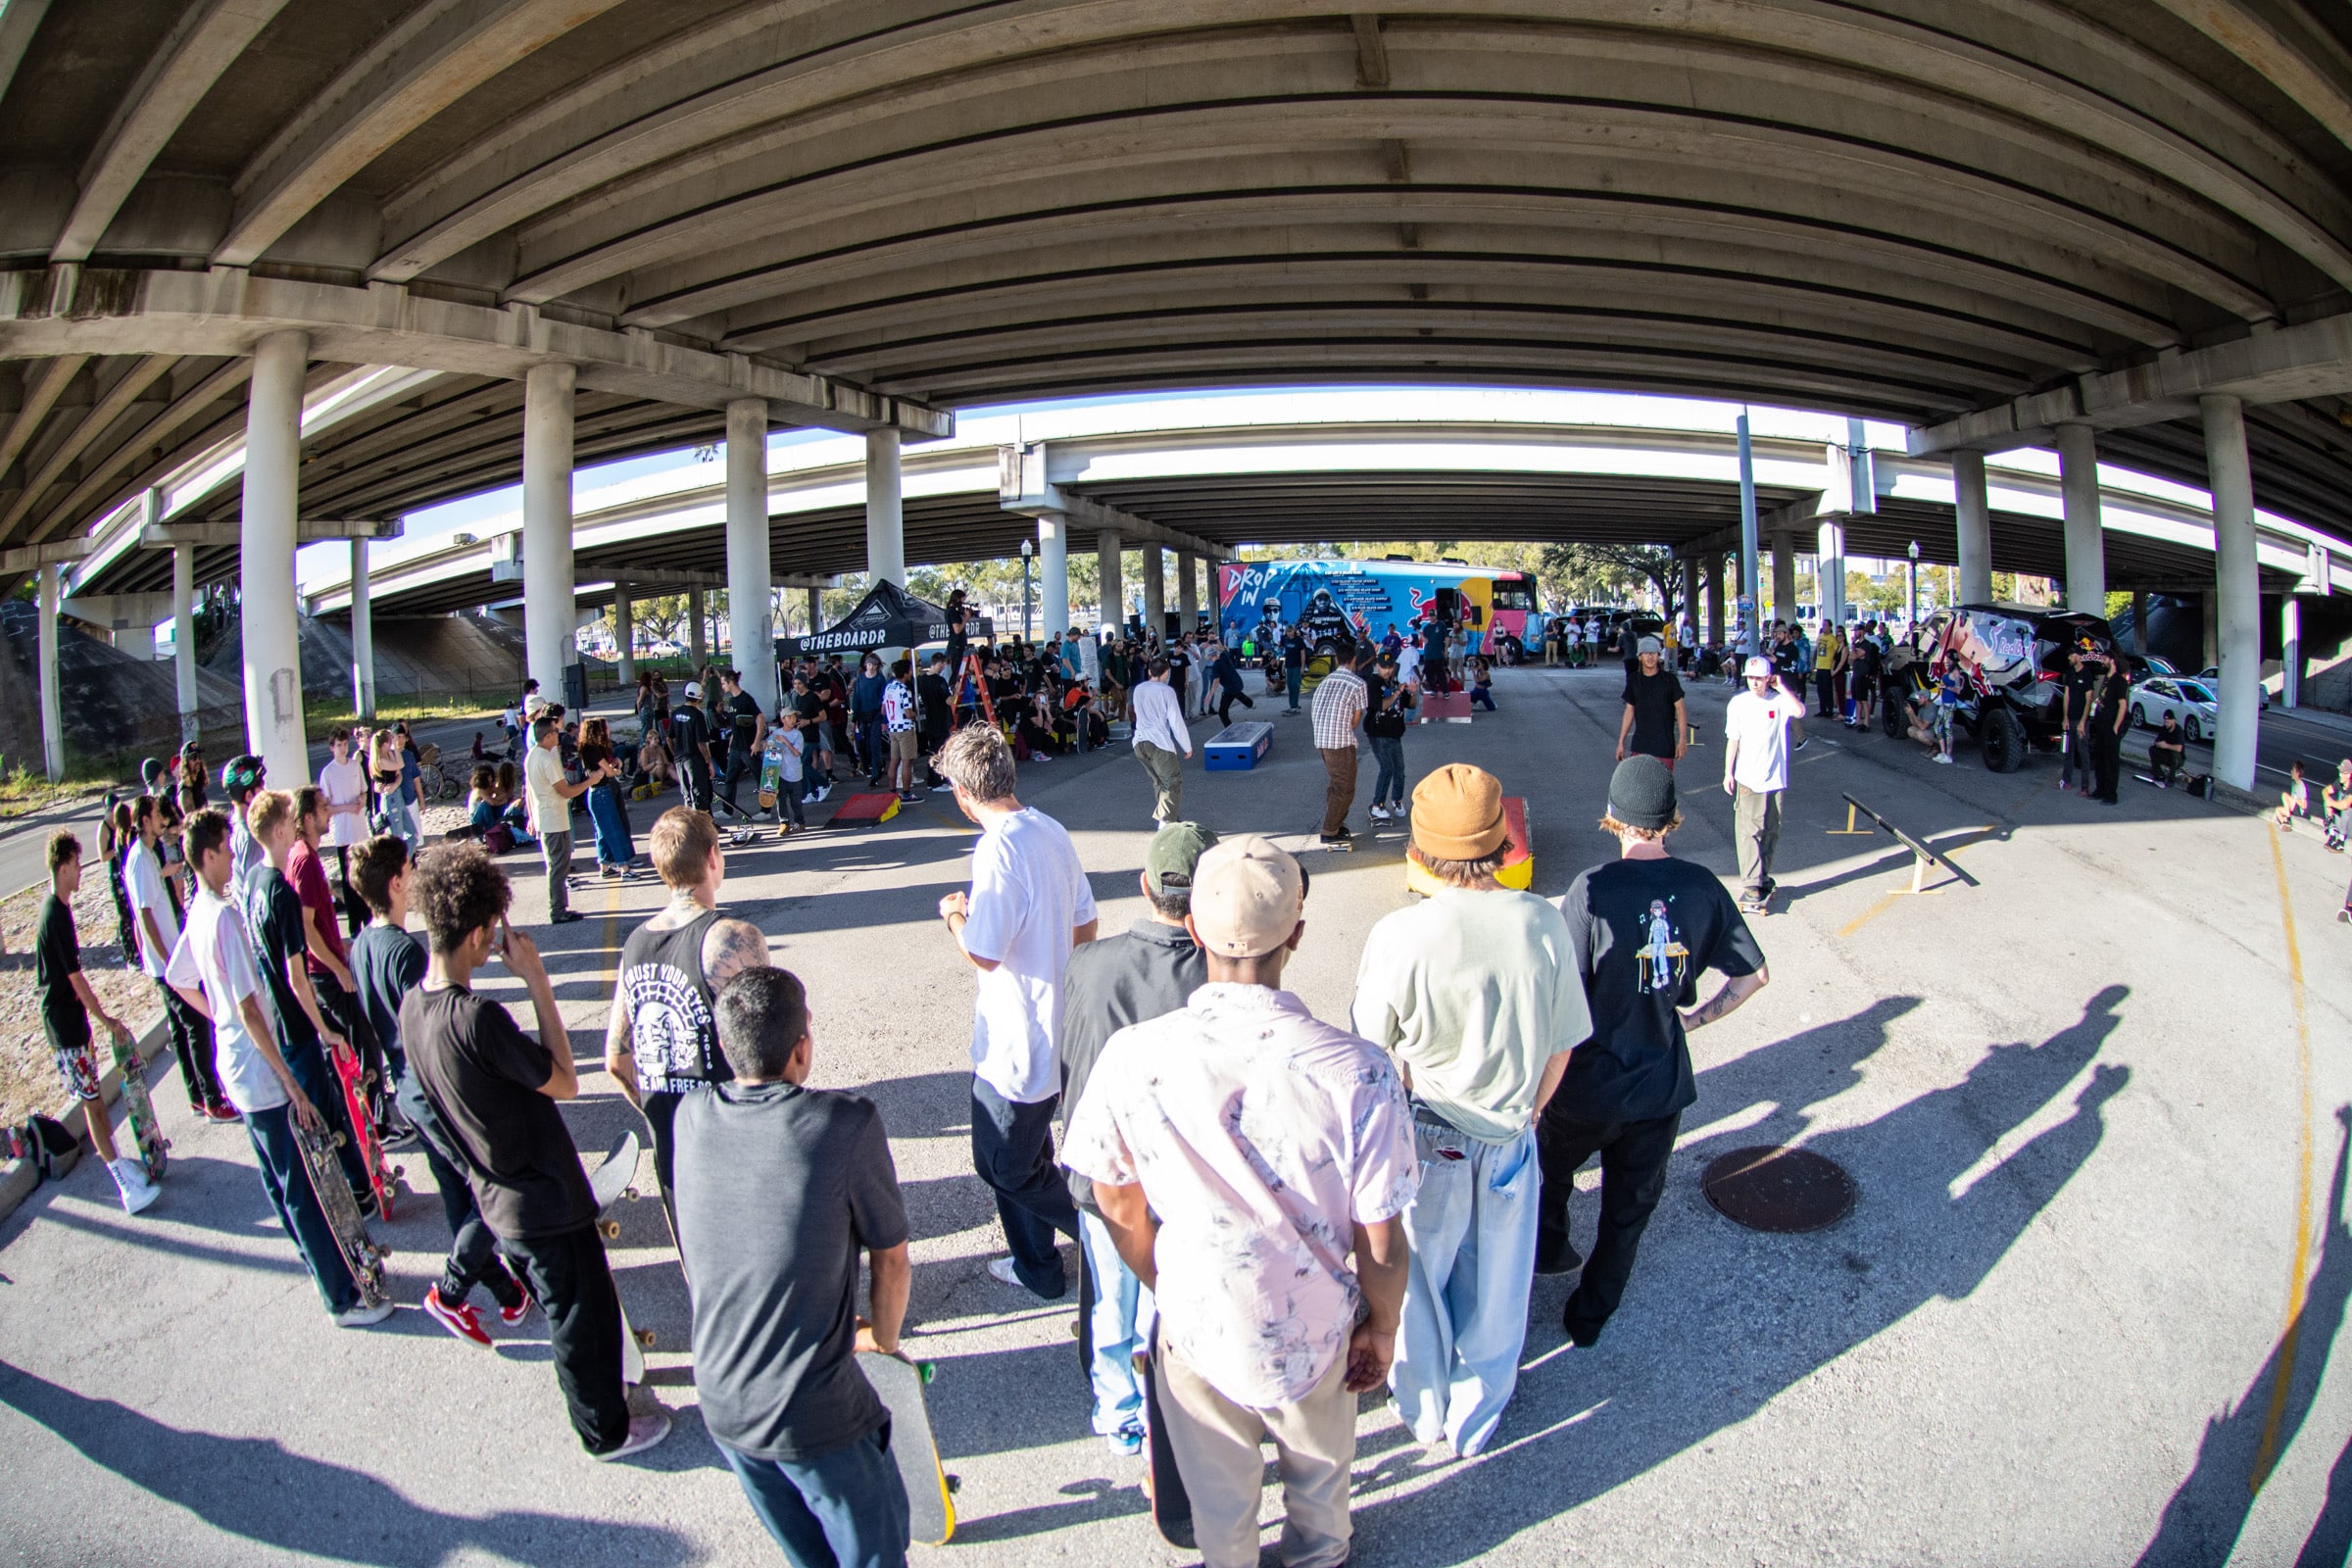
(1643, 927)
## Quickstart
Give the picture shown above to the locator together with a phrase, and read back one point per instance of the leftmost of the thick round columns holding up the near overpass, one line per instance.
(269, 626)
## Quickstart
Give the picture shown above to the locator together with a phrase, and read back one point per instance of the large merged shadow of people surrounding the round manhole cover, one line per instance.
(1704, 1343)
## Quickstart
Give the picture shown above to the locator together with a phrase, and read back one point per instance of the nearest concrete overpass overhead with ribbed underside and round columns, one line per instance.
(617, 225)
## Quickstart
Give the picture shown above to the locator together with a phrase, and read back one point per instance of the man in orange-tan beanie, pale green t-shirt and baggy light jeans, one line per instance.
(1478, 998)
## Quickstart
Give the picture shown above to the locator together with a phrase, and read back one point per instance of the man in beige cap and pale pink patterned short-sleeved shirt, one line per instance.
(1255, 1167)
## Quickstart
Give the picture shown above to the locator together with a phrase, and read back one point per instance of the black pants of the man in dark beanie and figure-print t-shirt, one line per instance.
(1633, 1179)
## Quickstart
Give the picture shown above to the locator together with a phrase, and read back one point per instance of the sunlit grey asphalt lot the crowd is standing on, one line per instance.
(2087, 1299)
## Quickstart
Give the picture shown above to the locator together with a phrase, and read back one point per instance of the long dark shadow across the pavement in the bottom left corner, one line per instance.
(258, 1489)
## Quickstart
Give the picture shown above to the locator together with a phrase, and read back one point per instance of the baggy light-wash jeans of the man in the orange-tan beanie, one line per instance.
(1474, 1235)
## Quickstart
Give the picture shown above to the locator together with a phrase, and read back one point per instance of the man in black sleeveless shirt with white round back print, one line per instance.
(662, 1040)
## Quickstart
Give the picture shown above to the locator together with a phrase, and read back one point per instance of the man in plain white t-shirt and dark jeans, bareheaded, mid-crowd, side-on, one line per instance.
(1027, 911)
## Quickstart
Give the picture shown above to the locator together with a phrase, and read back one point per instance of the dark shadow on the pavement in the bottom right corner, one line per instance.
(2214, 1501)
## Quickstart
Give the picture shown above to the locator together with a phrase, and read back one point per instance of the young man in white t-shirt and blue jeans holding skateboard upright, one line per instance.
(213, 970)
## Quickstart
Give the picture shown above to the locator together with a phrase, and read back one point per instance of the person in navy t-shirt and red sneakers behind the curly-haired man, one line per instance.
(387, 965)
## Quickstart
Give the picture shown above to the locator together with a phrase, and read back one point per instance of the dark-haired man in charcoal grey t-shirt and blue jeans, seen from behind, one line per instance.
(782, 1188)
